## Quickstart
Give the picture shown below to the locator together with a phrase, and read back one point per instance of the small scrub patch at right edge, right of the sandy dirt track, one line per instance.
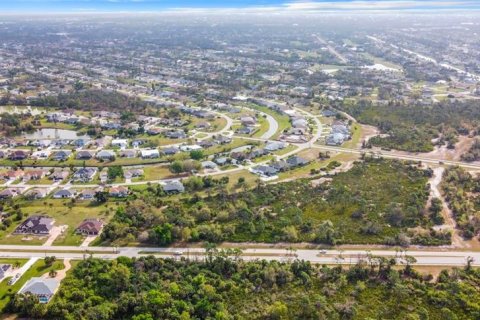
(462, 192)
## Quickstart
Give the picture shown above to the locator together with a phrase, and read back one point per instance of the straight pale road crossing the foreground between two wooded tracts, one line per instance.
(423, 258)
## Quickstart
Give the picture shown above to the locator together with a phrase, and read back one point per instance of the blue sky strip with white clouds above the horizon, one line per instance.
(38, 6)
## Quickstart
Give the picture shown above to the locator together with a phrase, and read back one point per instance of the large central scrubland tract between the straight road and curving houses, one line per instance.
(378, 201)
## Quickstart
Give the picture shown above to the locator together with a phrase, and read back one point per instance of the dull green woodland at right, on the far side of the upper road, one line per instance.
(413, 127)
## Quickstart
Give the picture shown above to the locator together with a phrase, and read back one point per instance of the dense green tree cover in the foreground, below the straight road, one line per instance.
(226, 288)
